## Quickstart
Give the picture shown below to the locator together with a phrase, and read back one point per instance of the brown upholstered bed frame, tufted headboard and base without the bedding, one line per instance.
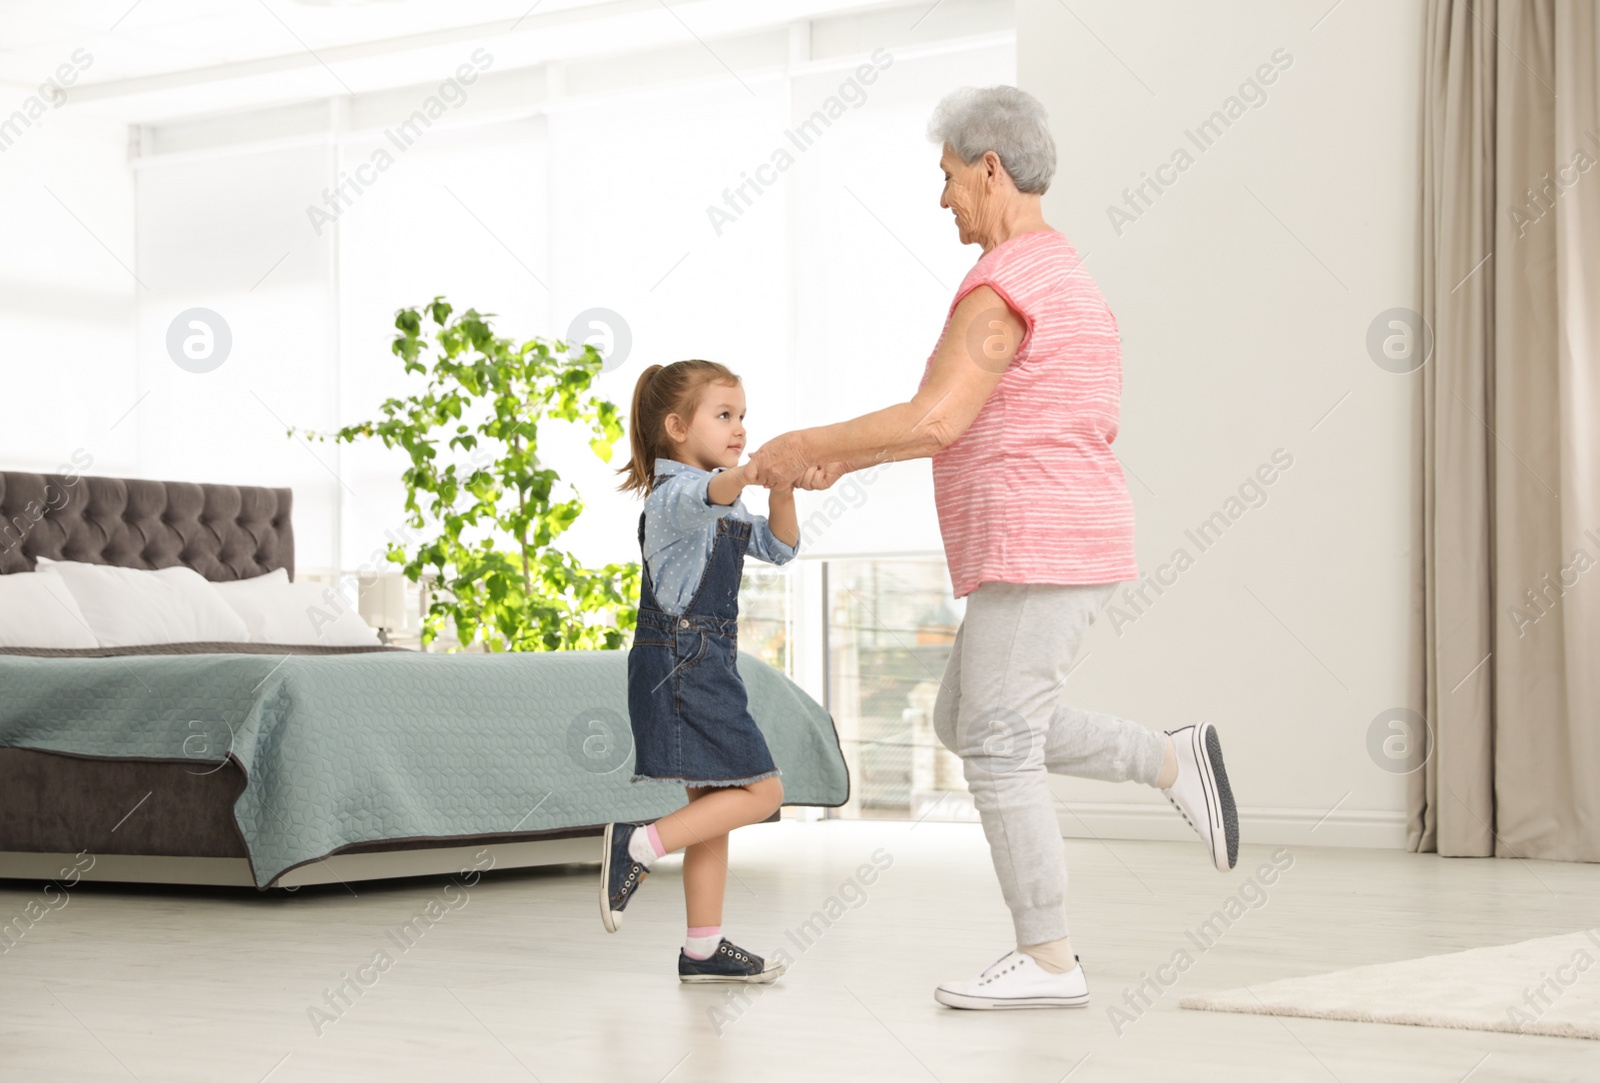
(156, 821)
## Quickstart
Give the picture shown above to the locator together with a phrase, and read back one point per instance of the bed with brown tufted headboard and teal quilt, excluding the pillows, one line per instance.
(276, 767)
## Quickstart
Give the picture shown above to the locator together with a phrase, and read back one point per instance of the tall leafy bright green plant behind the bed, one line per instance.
(486, 534)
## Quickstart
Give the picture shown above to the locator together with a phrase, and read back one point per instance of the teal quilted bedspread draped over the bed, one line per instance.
(345, 749)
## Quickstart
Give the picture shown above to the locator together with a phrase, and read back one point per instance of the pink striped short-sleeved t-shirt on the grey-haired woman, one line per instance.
(1031, 492)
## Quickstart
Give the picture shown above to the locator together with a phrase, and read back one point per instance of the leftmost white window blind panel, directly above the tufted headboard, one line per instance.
(228, 233)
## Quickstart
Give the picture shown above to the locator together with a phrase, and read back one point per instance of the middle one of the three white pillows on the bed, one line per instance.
(134, 607)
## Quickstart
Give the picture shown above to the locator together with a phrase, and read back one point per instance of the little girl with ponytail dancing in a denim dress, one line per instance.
(686, 700)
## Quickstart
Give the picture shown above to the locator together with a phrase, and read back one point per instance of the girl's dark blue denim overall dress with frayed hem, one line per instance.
(686, 698)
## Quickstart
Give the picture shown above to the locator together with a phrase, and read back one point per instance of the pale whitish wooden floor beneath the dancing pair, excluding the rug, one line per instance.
(519, 981)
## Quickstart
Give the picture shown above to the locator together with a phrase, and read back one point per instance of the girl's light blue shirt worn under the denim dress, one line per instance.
(681, 532)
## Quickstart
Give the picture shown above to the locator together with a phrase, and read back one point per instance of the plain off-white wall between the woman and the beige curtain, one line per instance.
(1244, 295)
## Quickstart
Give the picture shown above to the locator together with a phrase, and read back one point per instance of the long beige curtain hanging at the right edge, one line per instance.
(1510, 527)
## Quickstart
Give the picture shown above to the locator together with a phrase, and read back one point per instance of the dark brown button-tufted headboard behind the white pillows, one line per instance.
(223, 532)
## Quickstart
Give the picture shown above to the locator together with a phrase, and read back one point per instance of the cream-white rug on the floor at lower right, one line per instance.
(1550, 986)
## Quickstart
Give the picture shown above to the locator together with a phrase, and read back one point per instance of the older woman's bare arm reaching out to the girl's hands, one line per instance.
(967, 367)
